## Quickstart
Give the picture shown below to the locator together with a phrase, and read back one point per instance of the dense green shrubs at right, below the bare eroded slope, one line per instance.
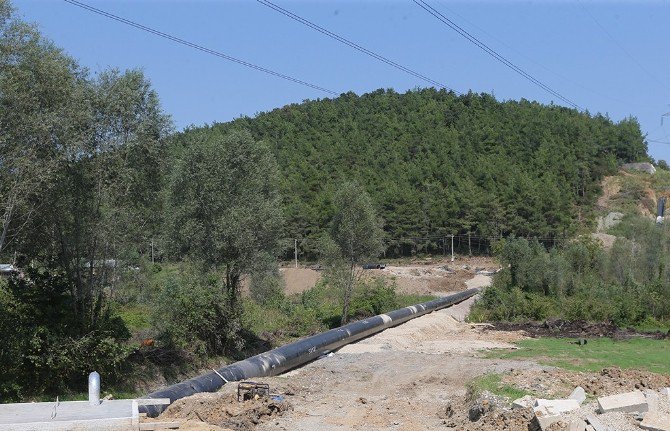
(579, 280)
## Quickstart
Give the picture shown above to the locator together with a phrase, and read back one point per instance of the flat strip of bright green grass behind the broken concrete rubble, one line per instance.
(636, 353)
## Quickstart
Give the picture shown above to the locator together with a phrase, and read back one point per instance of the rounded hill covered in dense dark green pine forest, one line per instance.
(438, 164)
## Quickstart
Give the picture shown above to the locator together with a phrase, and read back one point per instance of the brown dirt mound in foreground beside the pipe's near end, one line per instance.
(223, 410)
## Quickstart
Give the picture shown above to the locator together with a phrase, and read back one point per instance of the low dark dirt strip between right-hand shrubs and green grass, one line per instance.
(575, 329)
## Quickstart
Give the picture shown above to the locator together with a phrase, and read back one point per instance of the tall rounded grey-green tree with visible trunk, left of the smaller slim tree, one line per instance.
(223, 207)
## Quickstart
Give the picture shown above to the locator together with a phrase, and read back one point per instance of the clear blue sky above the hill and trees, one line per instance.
(611, 57)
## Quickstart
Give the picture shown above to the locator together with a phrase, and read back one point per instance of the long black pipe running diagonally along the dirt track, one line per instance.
(300, 352)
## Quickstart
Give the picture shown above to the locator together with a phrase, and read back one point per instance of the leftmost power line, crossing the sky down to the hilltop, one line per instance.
(199, 47)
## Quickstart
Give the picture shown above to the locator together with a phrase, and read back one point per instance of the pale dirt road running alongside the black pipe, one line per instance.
(403, 378)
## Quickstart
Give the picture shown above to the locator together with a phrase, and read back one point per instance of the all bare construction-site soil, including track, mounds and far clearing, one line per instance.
(411, 377)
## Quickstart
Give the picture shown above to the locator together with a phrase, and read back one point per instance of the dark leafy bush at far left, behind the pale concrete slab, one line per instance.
(45, 347)
